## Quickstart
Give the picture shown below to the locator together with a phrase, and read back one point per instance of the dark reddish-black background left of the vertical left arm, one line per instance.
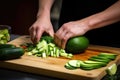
(19, 14)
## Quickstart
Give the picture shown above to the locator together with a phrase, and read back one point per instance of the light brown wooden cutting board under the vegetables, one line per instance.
(54, 67)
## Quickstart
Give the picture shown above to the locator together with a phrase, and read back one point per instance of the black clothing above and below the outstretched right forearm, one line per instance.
(78, 9)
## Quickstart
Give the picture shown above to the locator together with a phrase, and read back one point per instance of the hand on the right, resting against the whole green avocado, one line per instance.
(68, 30)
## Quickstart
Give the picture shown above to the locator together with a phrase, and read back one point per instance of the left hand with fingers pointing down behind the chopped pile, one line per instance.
(42, 24)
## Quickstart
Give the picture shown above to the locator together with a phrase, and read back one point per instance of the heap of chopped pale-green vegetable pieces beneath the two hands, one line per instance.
(44, 48)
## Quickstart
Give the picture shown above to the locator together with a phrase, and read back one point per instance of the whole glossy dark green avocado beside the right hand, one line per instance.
(77, 44)
